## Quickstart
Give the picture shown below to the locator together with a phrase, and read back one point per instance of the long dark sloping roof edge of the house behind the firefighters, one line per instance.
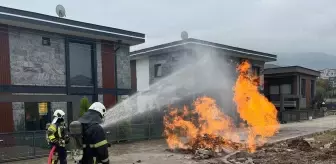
(32, 20)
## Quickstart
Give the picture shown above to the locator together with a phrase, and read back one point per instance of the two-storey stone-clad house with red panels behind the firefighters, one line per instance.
(50, 56)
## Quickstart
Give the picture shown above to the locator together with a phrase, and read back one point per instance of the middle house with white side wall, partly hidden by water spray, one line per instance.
(174, 73)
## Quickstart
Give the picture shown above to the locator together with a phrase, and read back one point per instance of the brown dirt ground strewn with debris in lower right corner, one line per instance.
(319, 149)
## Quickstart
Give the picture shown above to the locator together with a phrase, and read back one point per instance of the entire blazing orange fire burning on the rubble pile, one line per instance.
(207, 127)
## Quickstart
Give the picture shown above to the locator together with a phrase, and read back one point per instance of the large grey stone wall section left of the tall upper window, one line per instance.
(33, 63)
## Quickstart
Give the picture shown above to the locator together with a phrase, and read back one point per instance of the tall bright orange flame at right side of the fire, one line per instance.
(254, 108)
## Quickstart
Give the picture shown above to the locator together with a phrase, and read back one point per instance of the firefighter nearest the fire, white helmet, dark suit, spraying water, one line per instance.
(95, 145)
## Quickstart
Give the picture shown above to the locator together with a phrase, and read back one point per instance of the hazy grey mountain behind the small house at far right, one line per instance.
(312, 60)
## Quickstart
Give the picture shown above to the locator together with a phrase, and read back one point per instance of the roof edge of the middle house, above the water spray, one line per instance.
(181, 44)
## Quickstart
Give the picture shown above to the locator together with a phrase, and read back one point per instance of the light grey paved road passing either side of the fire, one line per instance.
(152, 152)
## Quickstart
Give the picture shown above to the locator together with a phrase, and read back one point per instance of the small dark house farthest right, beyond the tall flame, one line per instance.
(296, 85)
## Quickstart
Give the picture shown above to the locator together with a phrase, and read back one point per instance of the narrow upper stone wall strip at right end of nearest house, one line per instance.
(123, 68)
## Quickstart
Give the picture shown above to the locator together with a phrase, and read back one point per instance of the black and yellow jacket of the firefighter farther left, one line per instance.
(56, 134)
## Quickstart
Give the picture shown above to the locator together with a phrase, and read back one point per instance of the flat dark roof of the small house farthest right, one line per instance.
(291, 69)
